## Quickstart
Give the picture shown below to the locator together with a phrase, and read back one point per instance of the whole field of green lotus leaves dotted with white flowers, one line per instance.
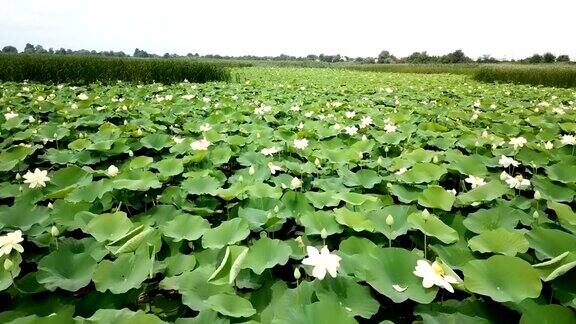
(289, 196)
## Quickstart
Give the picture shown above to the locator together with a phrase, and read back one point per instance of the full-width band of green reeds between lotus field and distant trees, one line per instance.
(83, 69)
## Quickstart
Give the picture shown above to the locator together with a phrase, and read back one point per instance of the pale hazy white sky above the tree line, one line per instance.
(502, 28)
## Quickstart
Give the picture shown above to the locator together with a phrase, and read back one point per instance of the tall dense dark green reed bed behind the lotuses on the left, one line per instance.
(88, 69)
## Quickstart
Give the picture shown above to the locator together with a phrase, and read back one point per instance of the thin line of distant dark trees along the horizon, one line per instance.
(385, 57)
